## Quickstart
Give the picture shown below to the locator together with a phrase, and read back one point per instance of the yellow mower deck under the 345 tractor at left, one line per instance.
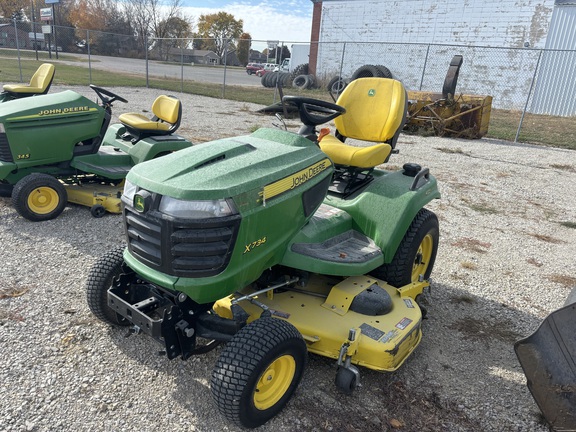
(91, 195)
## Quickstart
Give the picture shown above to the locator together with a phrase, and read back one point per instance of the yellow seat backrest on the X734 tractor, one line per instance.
(375, 109)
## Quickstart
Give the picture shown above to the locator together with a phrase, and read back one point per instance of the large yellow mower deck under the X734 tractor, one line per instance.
(322, 315)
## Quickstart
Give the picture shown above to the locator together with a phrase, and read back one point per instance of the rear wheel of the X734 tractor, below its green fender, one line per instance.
(415, 255)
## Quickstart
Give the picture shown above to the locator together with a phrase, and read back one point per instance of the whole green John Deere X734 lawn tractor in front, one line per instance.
(278, 244)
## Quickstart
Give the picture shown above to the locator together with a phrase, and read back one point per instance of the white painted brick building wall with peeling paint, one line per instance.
(397, 34)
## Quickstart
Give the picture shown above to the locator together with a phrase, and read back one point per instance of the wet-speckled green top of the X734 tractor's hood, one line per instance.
(232, 167)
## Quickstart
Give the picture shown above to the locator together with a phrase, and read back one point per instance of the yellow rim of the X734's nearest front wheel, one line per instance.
(274, 382)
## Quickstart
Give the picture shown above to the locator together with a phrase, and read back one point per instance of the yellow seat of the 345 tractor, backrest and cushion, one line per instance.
(167, 111)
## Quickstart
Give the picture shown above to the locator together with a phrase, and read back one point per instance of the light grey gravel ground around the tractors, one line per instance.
(502, 265)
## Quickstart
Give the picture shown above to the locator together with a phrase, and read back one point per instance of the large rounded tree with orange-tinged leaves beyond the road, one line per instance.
(218, 30)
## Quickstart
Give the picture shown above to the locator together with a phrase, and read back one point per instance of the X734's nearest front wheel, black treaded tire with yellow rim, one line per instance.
(267, 346)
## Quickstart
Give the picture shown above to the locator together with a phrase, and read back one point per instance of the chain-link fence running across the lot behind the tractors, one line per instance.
(521, 81)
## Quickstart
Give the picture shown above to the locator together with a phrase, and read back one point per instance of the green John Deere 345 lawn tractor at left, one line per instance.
(60, 147)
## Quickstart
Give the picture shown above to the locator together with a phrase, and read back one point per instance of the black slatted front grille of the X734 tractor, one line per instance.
(197, 248)
